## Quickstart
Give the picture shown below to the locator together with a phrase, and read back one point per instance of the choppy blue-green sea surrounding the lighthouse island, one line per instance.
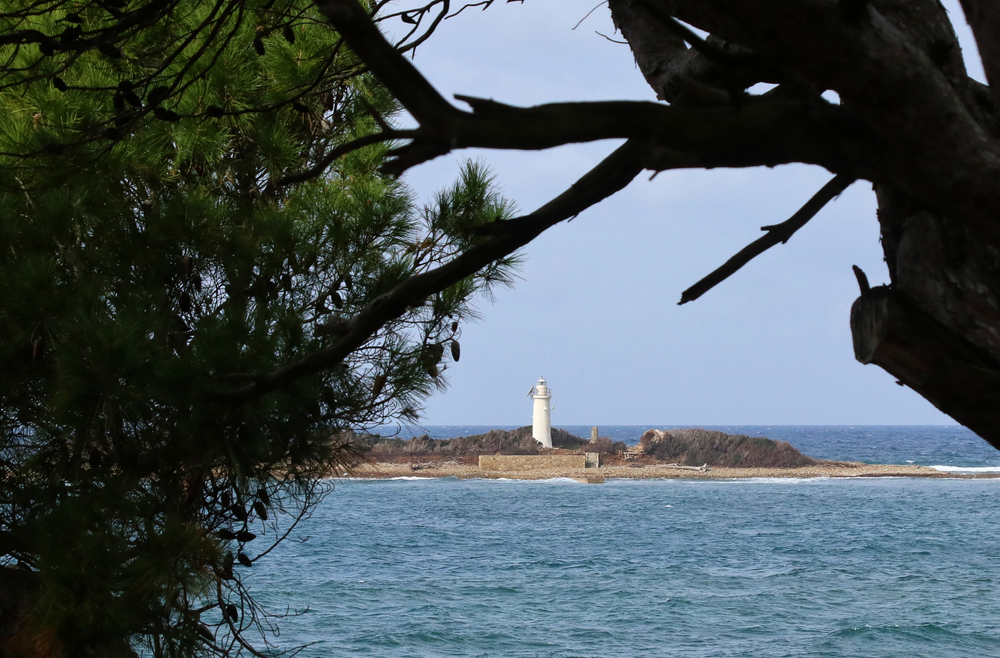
(866, 567)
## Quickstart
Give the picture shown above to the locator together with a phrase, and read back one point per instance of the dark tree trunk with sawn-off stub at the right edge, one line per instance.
(937, 329)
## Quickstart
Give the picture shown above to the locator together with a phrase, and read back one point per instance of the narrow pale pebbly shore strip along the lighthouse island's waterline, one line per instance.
(383, 470)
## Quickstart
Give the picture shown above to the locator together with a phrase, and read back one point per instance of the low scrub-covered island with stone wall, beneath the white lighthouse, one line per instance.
(660, 454)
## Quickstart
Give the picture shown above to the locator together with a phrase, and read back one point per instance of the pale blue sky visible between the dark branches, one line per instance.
(594, 309)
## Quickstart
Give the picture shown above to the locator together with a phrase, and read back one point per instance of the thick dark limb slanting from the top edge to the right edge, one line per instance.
(940, 153)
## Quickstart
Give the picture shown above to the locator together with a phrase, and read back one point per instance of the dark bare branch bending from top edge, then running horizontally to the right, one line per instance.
(768, 131)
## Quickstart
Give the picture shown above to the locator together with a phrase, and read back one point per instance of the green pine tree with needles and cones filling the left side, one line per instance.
(164, 266)
